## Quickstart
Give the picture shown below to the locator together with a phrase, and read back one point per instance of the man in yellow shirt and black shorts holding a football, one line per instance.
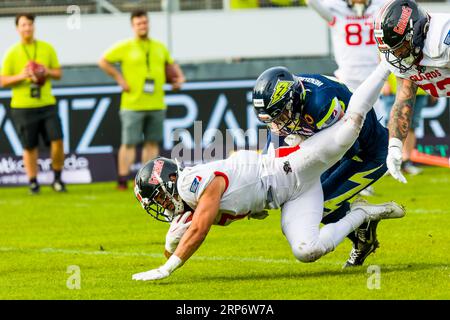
(27, 68)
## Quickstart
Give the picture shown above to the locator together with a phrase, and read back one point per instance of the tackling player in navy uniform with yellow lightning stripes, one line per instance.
(296, 107)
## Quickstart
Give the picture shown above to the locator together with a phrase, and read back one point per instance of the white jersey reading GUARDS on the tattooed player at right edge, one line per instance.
(434, 76)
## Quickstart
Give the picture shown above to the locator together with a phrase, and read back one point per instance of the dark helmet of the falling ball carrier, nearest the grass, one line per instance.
(156, 189)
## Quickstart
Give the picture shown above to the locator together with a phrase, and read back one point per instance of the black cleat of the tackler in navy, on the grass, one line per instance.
(366, 244)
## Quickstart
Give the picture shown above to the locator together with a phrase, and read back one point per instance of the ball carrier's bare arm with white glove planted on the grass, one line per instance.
(205, 213)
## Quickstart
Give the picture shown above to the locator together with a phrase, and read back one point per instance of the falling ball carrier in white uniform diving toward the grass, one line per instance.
(248, 183)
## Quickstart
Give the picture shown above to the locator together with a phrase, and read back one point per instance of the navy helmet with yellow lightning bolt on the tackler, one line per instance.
(278, 100)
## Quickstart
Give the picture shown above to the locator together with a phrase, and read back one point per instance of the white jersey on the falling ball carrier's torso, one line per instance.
(254, 182)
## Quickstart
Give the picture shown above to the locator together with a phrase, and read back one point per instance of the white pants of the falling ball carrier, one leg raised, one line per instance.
(301, 215)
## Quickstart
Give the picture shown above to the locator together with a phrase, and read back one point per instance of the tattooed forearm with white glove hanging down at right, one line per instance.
(399, 122)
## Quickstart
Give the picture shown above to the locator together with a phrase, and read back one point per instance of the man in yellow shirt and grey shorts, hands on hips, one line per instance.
(145, 65)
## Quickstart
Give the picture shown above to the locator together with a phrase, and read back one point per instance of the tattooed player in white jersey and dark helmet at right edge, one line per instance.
(416, 45)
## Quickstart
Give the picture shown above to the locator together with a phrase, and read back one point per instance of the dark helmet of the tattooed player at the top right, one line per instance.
(400, 30)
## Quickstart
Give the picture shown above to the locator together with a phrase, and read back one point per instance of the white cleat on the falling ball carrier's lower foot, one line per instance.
(376, 212)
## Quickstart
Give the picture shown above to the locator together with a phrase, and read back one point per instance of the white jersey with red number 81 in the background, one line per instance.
(353, 41)
